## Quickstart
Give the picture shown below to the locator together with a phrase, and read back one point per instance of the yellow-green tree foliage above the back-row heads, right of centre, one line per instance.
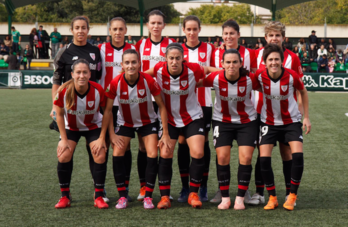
(209, 14)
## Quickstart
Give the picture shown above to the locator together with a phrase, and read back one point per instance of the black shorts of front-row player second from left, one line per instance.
(143, 131)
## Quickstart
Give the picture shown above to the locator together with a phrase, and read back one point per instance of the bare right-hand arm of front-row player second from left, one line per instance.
(165, 140)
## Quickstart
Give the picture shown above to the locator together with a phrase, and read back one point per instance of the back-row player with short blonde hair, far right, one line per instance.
(275, 34)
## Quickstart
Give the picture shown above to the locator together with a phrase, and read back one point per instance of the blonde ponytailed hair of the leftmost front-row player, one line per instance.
(70, 86)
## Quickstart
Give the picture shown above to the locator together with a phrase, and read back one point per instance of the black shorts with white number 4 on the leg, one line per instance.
(225, 133)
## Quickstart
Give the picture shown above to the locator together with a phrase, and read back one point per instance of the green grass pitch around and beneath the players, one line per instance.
(29, 183)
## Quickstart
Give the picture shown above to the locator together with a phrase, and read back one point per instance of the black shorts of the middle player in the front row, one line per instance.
(196, 127)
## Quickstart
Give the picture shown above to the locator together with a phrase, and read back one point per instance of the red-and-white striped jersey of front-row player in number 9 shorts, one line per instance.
(280, 106)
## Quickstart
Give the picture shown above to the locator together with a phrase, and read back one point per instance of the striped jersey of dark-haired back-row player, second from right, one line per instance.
(246, 54)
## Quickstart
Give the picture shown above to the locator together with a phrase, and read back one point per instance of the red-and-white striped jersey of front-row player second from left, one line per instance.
(135, 105)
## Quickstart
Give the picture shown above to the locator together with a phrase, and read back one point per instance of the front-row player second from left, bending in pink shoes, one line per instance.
(133, 89)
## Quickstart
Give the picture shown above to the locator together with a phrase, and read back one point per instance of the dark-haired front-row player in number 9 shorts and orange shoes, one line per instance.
(281, 120)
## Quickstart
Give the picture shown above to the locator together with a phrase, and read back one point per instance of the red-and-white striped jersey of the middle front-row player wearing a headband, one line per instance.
(179, 93)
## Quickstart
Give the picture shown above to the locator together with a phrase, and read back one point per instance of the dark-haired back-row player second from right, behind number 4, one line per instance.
(230, 36)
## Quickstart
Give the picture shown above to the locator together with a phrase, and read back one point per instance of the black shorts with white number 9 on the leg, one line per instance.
(270, 134)
